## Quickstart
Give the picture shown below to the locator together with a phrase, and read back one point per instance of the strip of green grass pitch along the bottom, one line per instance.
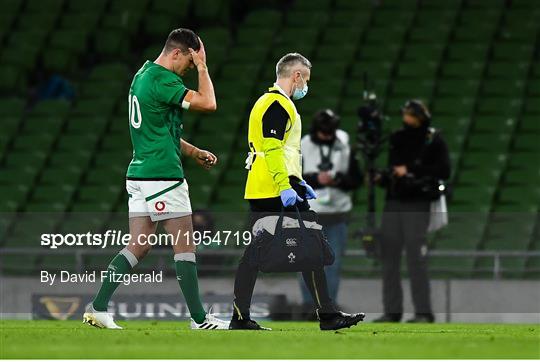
(72, 339)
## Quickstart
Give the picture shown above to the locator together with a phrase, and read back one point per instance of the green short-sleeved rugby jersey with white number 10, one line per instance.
(155, 123)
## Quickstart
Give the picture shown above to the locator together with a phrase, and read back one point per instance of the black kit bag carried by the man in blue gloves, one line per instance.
(291, 249)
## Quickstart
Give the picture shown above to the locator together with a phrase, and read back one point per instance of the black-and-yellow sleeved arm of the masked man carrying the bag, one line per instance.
(274, 124)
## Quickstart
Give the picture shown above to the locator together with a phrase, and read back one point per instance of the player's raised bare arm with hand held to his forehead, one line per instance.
(204, 99)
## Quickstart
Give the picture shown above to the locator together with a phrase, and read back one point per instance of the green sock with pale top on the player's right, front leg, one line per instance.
(186, 274)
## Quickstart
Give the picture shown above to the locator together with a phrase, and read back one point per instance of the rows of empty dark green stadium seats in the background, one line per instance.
(481, 80)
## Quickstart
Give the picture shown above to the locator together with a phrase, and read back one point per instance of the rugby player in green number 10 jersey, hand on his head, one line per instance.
(155, 182)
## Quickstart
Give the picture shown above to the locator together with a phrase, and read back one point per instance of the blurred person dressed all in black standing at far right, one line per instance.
(418, 161)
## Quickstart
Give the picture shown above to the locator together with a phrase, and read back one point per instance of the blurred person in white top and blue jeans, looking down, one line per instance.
(330, 167)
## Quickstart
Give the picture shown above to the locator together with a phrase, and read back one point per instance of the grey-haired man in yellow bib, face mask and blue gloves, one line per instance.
(275, 182)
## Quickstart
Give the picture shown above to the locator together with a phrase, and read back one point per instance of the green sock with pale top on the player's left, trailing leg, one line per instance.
(122, 263)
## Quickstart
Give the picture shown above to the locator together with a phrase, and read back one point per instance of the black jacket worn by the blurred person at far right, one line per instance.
(425, 153)
